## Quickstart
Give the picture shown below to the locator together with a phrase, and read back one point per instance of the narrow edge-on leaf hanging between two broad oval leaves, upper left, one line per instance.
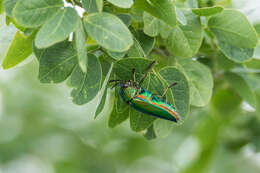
(80, 39)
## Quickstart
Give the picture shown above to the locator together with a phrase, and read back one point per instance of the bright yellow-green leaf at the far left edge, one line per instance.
(19, 50)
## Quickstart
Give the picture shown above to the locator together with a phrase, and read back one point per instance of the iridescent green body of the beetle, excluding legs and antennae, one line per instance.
(143, 101)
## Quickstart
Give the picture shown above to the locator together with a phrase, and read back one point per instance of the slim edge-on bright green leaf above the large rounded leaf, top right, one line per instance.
(207, 11)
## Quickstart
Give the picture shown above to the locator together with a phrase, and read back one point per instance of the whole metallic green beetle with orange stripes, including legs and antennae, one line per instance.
(143, 100)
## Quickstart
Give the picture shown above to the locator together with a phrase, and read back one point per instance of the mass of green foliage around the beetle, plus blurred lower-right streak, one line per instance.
(209, 50)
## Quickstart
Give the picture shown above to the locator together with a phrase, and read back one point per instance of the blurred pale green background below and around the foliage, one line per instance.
(42, 131)
